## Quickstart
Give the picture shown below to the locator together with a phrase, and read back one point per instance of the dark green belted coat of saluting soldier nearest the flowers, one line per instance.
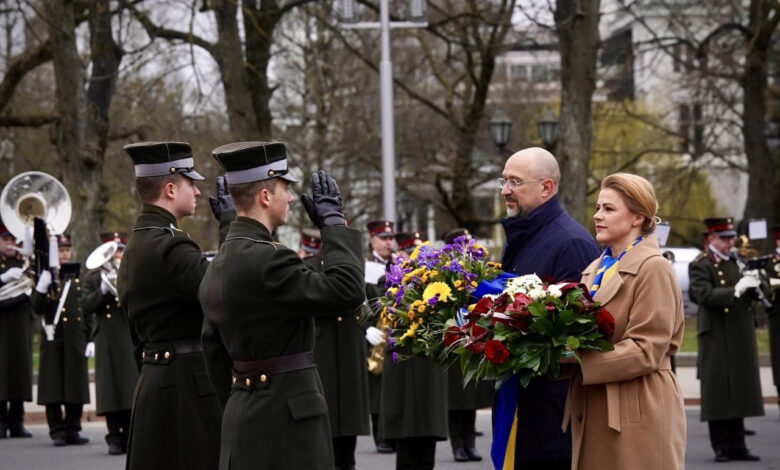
(260, 301)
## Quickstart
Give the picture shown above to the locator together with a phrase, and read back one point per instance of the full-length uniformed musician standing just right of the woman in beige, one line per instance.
(728, 356)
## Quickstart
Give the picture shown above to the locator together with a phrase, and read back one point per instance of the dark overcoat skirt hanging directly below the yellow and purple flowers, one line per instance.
(414, 399)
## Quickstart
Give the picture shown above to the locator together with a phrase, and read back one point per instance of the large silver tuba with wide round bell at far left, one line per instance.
(27, 196)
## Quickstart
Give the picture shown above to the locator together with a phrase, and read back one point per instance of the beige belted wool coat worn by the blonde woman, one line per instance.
(626, 407)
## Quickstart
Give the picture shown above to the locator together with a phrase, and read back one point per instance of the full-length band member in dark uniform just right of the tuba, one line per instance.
(62, 374)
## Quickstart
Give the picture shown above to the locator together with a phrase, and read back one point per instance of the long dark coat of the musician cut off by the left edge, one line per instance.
(15, 342)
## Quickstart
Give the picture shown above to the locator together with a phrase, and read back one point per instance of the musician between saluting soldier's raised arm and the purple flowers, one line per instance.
(381, 244)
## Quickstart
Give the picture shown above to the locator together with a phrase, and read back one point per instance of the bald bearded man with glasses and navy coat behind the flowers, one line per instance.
(541, 238)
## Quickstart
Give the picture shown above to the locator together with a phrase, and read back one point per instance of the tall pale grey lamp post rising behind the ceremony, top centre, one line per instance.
(417, 8)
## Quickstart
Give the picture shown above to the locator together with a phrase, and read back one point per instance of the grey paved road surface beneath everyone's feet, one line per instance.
(38, 453)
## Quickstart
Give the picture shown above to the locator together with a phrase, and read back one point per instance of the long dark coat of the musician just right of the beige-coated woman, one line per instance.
(728, 356)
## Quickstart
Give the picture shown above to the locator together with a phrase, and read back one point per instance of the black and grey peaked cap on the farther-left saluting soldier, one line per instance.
(163, 158)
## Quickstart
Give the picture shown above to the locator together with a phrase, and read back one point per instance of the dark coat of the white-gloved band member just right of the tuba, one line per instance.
(62, 370)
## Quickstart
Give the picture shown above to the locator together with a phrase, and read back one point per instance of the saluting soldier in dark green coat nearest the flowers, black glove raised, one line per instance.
(260, 301)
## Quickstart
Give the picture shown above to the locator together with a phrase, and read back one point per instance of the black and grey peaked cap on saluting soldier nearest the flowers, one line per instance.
(246, 162)
